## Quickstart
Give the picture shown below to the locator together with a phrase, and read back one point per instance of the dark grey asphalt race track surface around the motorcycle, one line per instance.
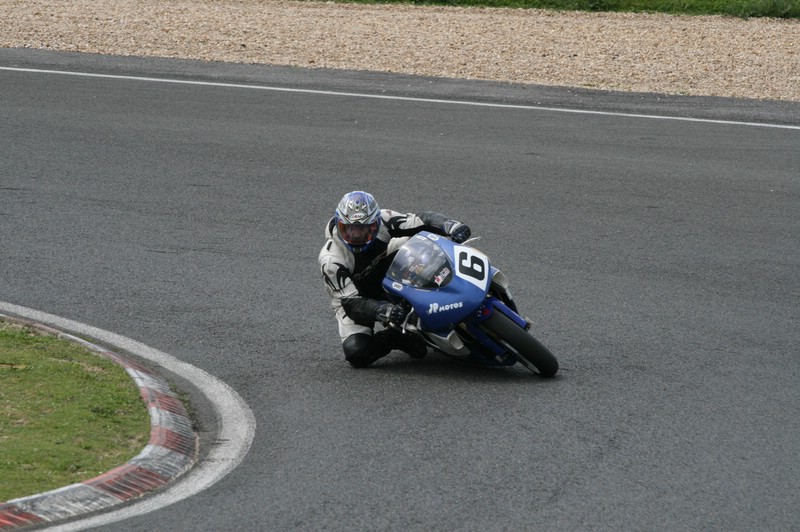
(658, 258)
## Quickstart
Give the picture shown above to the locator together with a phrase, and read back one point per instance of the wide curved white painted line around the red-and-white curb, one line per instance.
(236, 420)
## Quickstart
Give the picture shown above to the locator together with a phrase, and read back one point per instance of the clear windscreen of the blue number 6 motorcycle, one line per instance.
(422, 264)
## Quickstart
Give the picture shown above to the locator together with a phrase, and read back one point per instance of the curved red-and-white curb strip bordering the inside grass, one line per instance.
(171, 451)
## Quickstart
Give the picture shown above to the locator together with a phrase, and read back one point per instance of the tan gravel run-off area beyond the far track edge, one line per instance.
(717, 56)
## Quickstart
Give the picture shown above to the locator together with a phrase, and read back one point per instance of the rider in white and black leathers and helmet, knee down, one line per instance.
(362, 241)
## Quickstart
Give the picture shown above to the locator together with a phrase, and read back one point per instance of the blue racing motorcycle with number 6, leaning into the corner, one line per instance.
(461, 305)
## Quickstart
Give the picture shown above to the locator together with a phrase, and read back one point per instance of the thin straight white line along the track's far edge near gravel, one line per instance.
(401, 98)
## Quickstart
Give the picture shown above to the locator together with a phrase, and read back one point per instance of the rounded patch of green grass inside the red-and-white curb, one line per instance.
(66, 414)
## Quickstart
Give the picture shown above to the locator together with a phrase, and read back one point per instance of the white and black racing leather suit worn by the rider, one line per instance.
(353, 280)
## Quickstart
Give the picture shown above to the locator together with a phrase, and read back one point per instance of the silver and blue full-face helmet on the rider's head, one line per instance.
(358, 219)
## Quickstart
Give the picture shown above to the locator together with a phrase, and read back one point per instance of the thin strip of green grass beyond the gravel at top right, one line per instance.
(734, 8)
